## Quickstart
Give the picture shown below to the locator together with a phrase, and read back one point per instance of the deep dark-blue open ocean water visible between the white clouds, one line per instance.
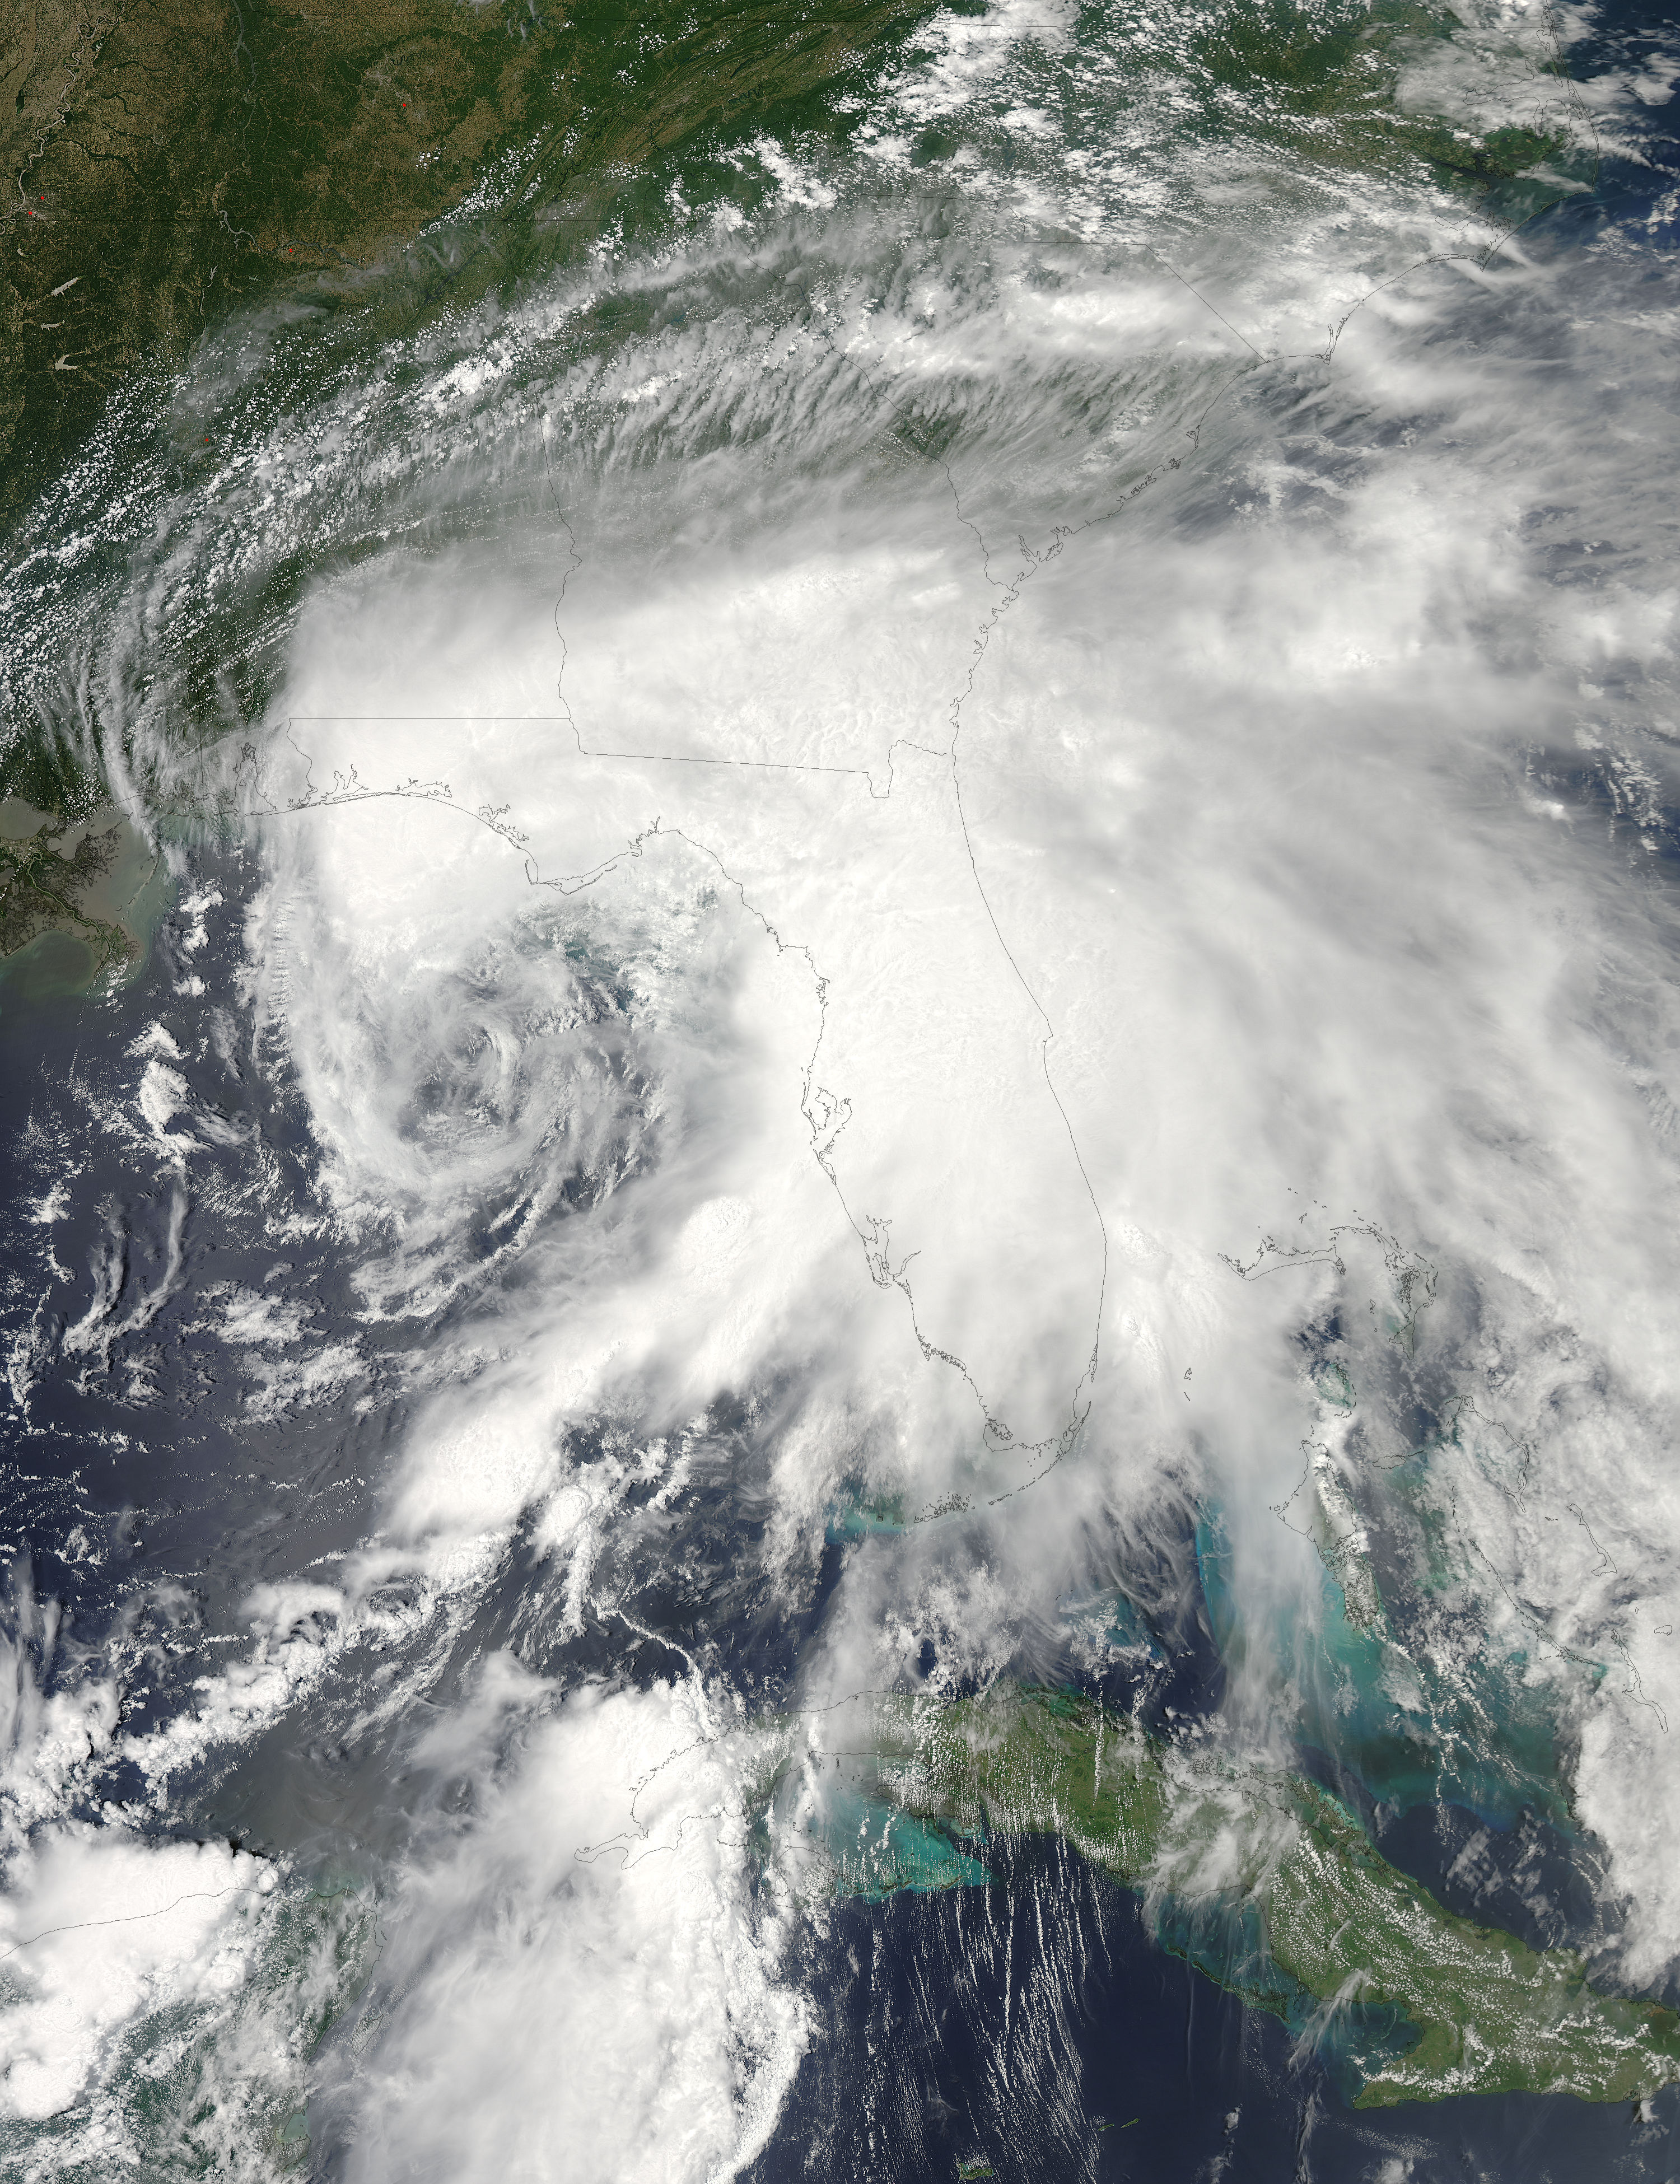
(1030, 2028)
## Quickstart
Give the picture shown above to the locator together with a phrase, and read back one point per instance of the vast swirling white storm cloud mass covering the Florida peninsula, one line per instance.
(1006, 879)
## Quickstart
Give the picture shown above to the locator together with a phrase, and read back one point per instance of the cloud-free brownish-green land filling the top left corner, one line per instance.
(167, 158)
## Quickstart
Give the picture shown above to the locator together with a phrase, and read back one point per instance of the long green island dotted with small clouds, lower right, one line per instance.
(1273, 1888)
